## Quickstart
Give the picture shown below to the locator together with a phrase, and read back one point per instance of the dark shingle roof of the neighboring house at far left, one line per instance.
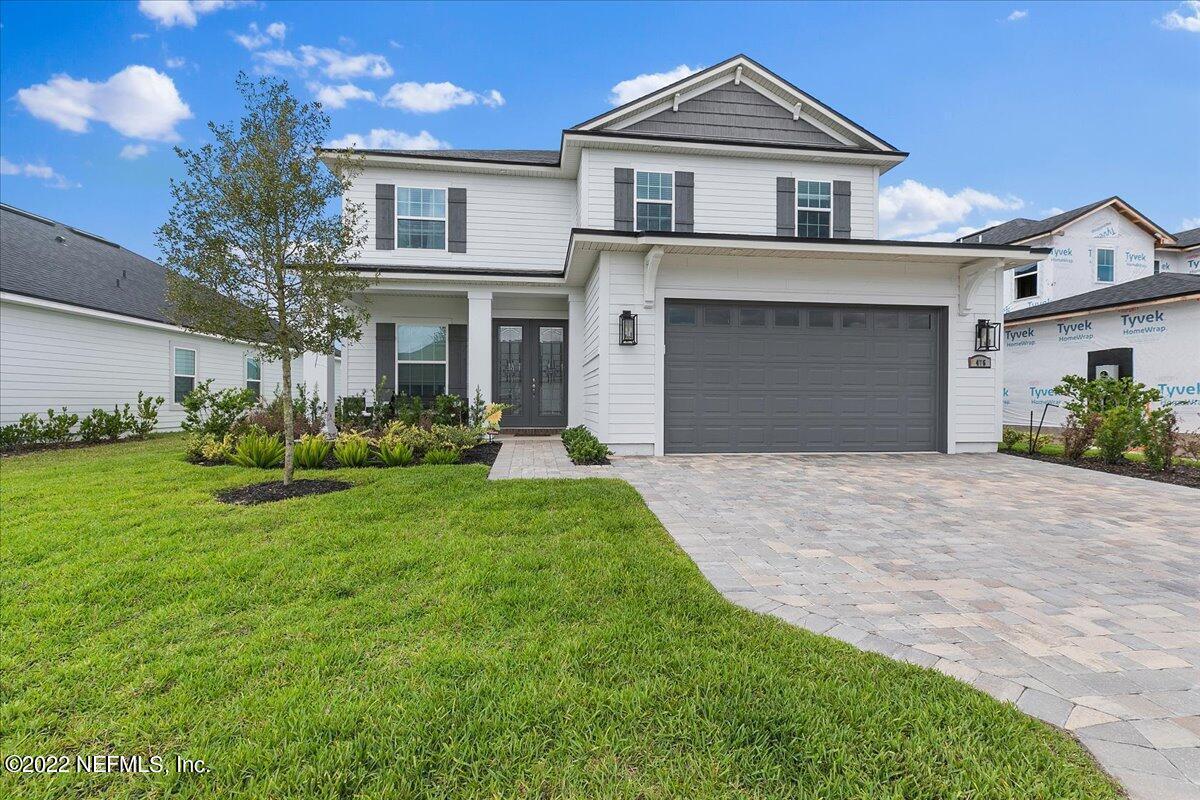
(46, 260)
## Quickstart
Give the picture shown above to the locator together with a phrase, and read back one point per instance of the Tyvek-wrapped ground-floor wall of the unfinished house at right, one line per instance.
(1166, 342)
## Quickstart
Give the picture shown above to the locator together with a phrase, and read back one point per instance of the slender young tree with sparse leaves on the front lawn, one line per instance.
(255, 252)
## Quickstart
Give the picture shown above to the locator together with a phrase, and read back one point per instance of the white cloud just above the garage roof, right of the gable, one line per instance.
(914, 210)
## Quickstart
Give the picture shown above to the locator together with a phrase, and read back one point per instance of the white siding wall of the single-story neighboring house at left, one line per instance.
(50, 359)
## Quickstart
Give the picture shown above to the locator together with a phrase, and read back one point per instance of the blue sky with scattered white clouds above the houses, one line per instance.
(1009, 110)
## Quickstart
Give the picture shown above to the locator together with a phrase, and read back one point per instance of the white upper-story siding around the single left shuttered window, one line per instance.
(513, 221)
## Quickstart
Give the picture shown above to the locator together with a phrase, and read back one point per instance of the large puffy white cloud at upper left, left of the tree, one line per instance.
(139, 103)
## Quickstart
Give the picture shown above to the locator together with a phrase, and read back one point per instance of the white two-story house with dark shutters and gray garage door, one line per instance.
(695, 272)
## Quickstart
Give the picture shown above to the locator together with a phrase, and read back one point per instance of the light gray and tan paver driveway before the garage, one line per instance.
(1071, 593)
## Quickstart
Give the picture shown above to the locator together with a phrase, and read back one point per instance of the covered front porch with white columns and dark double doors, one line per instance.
(514, 345)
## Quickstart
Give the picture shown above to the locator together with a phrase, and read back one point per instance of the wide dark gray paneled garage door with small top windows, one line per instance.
(789, 378)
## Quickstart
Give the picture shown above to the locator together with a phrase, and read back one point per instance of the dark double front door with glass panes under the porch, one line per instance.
(530, 372)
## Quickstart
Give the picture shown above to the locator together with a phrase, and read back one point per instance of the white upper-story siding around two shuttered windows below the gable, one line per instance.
(733, 196)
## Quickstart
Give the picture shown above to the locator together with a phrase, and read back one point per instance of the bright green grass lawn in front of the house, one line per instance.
(429, 634)
